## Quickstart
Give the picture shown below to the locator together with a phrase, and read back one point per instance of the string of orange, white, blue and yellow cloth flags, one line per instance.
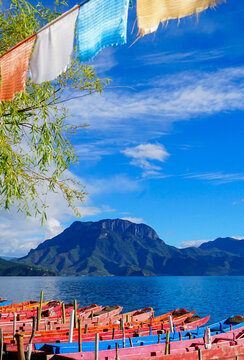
(100, 23)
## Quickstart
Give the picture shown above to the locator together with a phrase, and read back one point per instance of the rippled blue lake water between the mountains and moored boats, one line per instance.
(218, 296)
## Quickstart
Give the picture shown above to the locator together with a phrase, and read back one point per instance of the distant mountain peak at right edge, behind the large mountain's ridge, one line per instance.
(228, 244)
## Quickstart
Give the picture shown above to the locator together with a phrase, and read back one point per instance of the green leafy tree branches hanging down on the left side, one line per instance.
(35, 150)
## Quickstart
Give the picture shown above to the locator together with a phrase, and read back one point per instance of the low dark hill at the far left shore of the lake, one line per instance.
(13, 268)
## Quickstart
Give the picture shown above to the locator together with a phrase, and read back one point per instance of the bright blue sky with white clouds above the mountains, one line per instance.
(165, 145)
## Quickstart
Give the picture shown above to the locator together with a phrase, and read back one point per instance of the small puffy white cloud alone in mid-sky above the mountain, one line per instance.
(143, 154)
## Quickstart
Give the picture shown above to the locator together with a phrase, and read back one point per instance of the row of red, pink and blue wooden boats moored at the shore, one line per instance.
(67, 331)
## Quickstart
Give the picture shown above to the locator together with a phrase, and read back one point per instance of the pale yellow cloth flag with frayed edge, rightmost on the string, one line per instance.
(151, 12)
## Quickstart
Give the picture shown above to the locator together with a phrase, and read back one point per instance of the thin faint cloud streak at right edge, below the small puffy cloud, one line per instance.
(216, 177)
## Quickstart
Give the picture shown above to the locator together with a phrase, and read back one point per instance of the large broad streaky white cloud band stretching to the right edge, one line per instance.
(158, 103)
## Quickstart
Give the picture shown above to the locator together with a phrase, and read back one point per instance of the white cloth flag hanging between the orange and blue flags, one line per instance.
(54, 46)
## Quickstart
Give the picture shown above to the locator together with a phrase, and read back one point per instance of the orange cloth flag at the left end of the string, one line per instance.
(14, 67)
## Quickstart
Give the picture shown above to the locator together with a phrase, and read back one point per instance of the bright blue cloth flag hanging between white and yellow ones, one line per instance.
(101, 23)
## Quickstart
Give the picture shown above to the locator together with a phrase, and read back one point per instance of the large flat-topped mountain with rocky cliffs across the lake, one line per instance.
(120, 247)
